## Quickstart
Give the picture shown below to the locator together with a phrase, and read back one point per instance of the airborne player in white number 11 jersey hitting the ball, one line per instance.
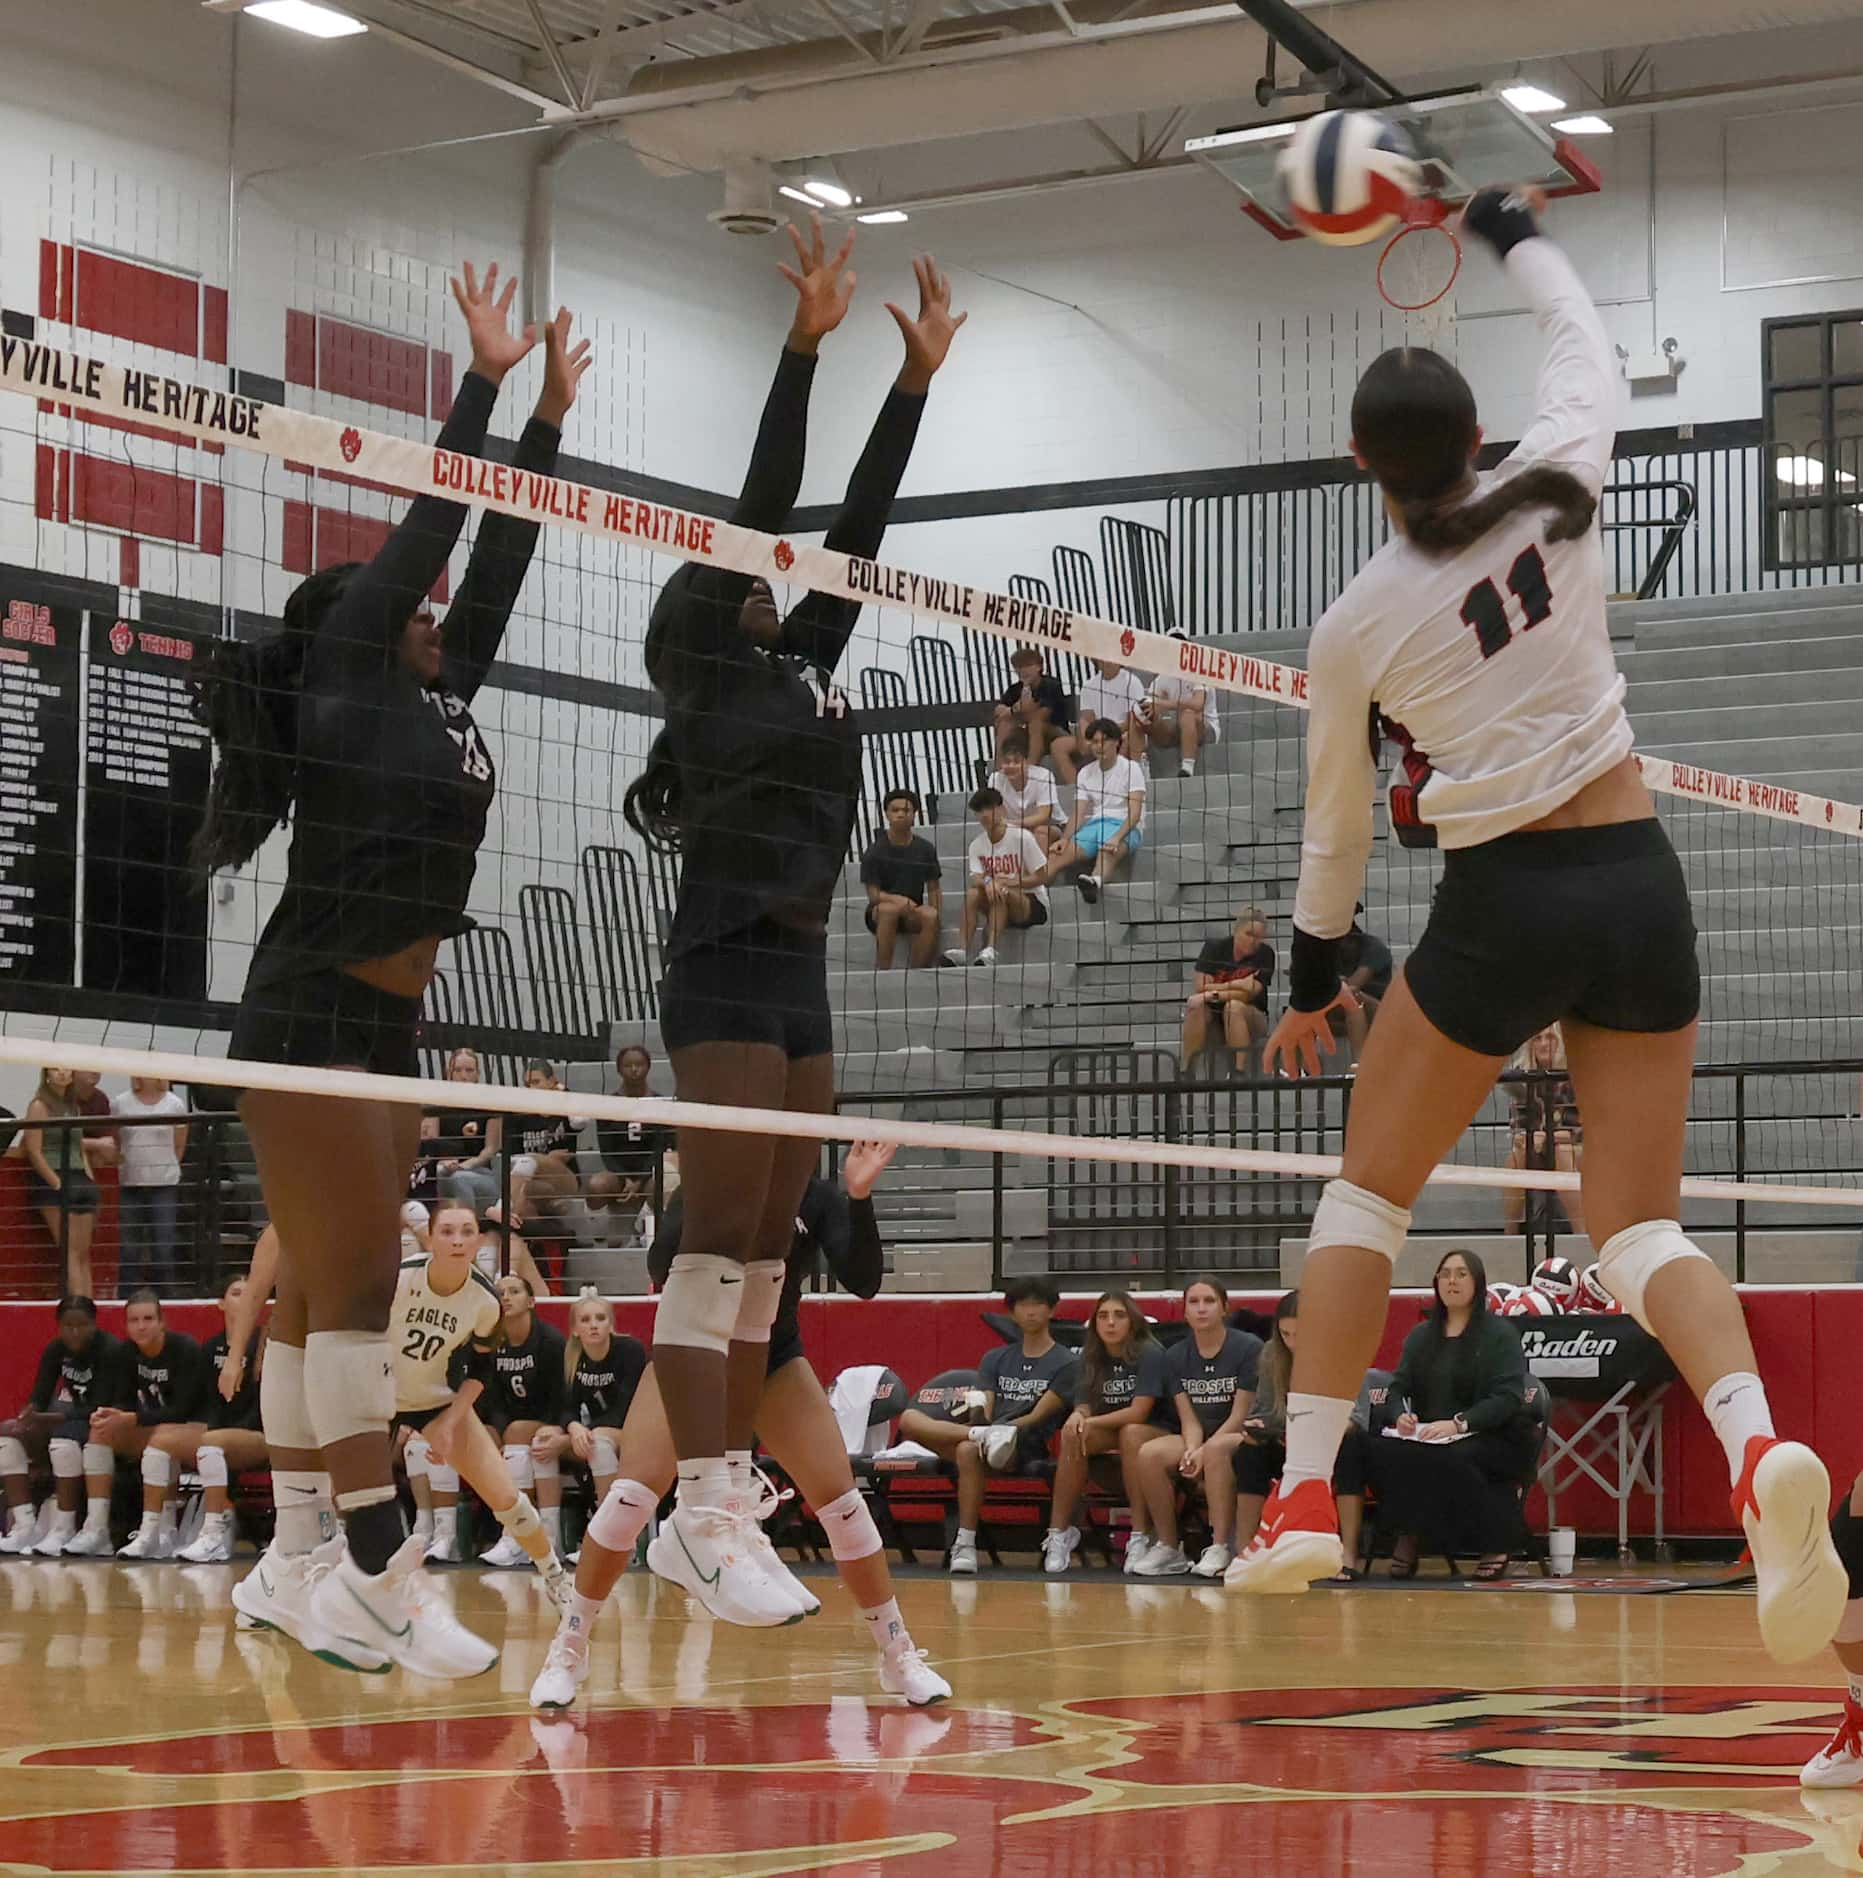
(1477, 638)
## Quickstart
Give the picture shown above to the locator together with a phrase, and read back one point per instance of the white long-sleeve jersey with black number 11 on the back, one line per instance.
(1492, 668)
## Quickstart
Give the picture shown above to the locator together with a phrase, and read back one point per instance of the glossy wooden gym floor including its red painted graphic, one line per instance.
(1100, 1727)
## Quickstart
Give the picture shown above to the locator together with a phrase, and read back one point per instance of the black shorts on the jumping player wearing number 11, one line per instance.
(1558, 923)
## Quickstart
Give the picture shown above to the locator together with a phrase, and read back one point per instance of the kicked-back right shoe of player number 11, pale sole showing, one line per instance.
(1783, 1503)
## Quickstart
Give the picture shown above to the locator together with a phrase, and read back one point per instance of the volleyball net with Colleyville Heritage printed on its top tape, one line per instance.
(1045, 1109)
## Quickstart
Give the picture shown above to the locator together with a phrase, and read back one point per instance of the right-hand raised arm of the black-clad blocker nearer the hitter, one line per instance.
(822, 624)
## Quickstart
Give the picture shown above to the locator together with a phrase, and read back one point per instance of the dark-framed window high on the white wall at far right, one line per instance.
(1813, 377)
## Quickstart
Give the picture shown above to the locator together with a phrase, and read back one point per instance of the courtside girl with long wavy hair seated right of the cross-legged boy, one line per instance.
(1120, 1393)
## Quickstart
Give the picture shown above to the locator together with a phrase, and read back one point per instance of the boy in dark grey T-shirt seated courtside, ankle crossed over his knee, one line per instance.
(1026, 1391)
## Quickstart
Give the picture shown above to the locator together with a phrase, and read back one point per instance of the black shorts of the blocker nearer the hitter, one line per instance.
(762, 987)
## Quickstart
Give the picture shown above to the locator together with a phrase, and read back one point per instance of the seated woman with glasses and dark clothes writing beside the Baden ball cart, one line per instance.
(1471, 1439)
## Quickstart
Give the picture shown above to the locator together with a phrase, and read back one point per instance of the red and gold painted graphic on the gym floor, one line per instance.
(1562, 1783)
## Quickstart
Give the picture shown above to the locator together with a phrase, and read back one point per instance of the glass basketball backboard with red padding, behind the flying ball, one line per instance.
(1468, 140)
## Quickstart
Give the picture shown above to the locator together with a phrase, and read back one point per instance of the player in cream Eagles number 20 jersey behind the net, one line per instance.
(446, 1306)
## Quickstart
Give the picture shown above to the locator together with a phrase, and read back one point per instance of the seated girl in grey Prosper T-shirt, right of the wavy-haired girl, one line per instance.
(1212, 1381)
